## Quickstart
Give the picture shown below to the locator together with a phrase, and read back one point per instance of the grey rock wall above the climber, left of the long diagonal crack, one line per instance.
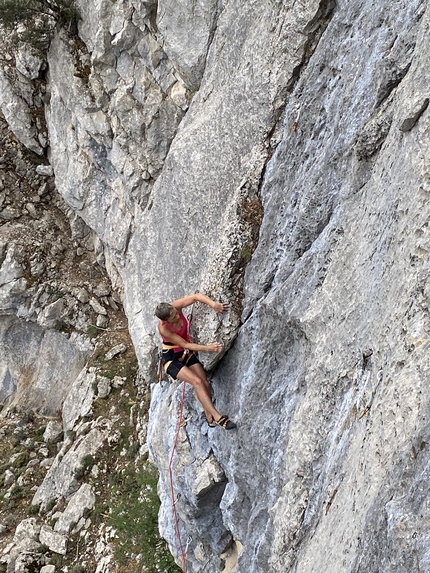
(116, 110)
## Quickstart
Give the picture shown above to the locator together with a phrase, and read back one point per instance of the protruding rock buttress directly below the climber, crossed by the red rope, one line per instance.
(198, 479)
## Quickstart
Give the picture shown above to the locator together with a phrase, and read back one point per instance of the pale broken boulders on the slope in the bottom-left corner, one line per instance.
(66, 477)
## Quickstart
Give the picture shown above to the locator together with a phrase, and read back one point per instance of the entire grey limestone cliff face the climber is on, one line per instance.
(174, 134)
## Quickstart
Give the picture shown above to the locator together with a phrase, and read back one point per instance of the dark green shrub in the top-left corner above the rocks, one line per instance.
(32, 22)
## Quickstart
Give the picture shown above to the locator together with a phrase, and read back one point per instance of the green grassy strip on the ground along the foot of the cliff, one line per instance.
(129, 502)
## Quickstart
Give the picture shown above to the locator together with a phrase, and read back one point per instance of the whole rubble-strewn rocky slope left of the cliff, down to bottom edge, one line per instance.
(58, 311)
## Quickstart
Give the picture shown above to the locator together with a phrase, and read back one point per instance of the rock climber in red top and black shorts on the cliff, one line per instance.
(179, 353)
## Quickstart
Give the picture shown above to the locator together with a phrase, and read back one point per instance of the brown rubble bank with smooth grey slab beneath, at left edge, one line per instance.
(52, 290)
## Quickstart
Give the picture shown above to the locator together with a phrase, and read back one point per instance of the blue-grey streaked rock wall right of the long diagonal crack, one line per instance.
(326, 376)
